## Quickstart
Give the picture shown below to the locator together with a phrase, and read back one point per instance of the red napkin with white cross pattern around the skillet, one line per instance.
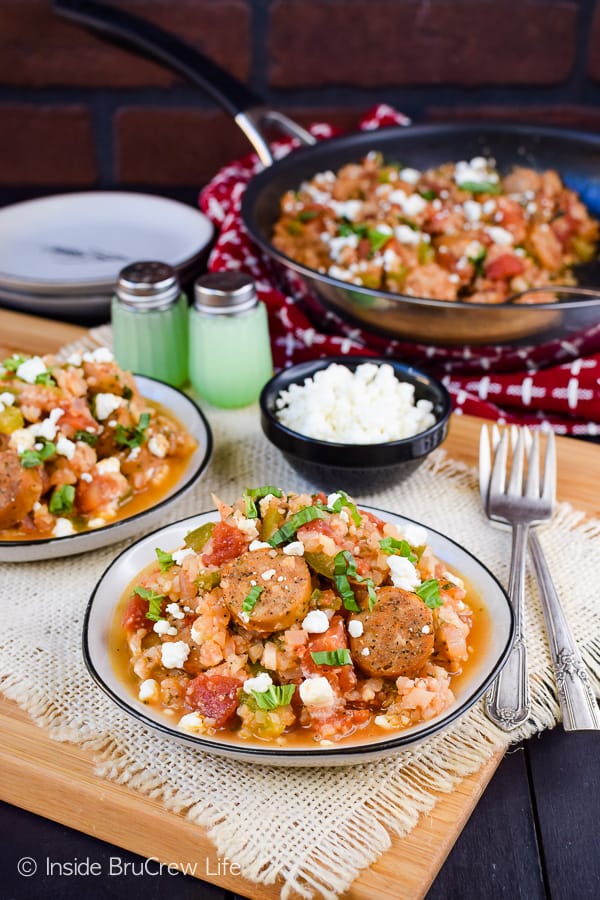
(509, 385)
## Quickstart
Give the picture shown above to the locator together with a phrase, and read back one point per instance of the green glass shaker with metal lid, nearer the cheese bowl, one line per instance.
(230, 350)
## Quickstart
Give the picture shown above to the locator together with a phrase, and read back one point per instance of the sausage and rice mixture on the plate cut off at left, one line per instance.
(79, 446)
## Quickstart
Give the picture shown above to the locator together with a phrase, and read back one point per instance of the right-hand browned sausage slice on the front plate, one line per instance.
(398, 635)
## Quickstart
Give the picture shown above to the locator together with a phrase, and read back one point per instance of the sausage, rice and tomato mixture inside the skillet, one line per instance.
(458, 232)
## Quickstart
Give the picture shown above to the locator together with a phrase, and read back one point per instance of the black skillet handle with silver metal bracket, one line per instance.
(153, 42)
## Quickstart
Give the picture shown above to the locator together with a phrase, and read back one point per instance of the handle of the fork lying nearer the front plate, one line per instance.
(507, 702)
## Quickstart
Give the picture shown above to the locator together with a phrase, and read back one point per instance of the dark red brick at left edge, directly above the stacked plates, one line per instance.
(46, 146)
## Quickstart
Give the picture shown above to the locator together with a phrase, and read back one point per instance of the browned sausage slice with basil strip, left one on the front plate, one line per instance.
(286, 589)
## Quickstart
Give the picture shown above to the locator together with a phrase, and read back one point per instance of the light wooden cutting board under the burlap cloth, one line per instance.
(57, 780)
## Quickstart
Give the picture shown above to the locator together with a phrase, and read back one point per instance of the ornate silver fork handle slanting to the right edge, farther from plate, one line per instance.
(575, 694)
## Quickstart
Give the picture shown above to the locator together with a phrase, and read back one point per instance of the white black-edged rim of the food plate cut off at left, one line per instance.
(186, 411)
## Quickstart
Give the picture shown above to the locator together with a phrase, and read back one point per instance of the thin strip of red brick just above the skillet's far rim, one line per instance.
(582, 117)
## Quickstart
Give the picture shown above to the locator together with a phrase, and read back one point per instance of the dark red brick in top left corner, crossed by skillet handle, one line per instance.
(39, 48)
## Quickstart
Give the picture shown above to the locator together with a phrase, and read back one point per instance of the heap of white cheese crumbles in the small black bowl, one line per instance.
(369, 406)
